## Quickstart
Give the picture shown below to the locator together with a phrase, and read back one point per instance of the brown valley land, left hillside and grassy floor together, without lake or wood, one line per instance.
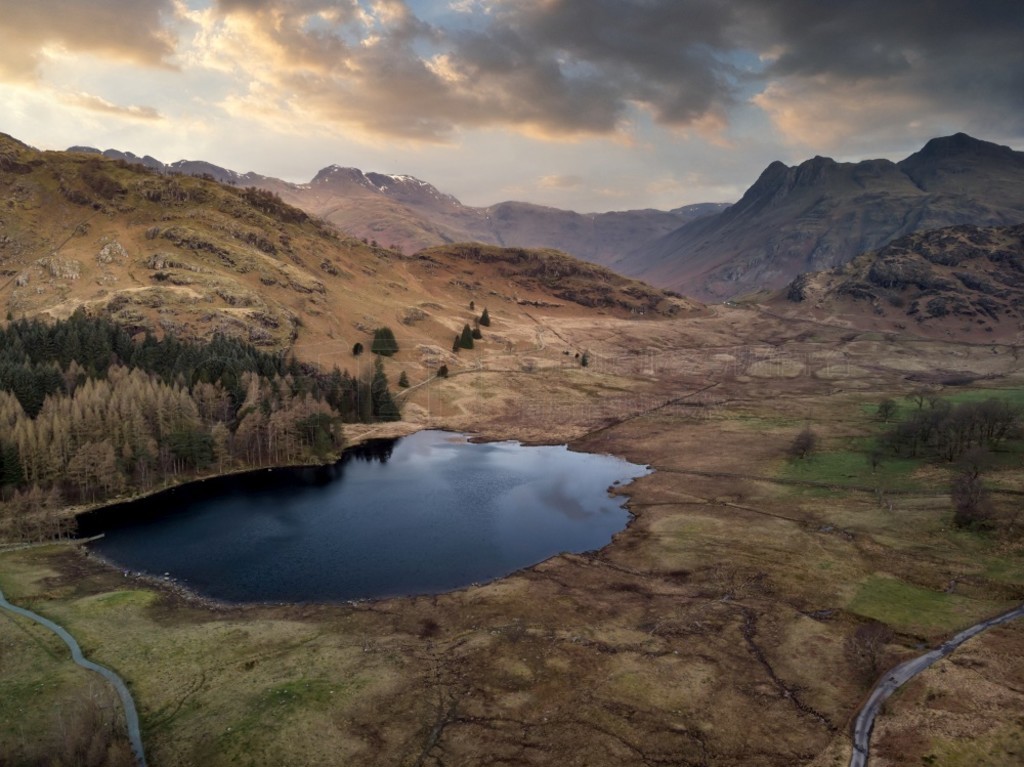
(742, 617)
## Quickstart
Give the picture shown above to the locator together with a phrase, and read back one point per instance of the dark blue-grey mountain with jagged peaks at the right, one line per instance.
(822, 214)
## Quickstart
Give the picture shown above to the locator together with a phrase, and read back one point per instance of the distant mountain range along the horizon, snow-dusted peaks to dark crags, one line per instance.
(810, 218)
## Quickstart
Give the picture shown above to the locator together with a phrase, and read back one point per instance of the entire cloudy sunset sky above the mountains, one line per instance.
(585, 105)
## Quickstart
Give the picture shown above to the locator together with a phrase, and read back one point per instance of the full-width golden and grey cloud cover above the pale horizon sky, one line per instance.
(821, 74)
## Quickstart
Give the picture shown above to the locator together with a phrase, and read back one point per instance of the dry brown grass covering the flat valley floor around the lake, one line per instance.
(713, 631)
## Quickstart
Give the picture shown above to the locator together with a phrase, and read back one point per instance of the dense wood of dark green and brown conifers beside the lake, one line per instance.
(89, 413)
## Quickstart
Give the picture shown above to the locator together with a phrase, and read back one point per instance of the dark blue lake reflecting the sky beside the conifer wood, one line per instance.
(423, 515)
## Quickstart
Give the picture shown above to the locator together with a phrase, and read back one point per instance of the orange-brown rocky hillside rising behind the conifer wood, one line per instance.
(193, 257)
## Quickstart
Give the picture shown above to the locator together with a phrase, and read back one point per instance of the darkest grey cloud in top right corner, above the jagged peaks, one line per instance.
(838, 73)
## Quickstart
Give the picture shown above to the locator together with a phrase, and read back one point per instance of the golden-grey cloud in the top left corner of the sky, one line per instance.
(125, 30)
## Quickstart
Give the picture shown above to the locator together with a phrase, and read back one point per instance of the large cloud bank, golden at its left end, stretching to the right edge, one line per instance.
(564, 69)
